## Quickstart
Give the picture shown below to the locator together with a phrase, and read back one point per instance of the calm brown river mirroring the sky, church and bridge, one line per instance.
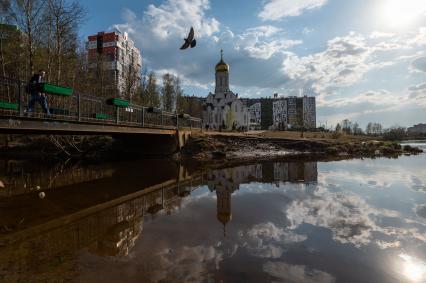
(158, 221)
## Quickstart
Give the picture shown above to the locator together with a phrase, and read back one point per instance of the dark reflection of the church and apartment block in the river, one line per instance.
(226, 181)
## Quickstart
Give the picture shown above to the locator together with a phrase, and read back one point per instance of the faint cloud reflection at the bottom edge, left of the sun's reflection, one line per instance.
(283, 272)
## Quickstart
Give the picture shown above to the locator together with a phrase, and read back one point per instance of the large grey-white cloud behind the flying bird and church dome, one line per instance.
(254, 54)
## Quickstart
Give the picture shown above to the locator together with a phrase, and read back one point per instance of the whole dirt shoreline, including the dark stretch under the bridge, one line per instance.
(218, 148)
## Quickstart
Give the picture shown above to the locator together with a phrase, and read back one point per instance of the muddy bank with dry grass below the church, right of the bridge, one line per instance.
(207, 148)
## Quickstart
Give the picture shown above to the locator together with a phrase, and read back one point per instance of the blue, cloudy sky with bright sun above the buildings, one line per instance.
(364, 60)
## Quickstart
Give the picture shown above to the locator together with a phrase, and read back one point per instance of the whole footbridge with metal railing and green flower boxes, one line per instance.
(81, 114)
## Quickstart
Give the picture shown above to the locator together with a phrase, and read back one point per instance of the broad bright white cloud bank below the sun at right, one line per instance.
(347, 59)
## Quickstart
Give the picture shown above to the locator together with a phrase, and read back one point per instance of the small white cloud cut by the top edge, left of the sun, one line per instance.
(278, 9)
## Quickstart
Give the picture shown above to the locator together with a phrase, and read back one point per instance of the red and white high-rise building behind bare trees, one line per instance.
(119, 58)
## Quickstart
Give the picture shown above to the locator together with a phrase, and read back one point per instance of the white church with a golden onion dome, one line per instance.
(223, 110)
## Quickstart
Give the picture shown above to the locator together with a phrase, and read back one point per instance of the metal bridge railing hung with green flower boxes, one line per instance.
(86, 108)
